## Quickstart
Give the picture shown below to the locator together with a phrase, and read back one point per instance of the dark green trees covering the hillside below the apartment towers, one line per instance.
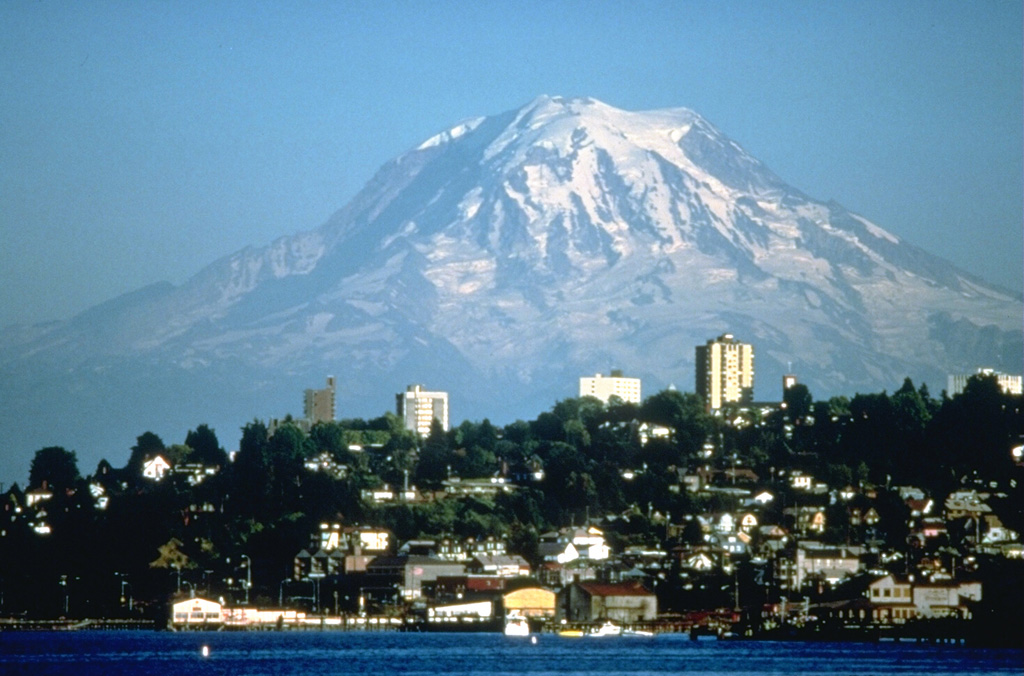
(262, 509)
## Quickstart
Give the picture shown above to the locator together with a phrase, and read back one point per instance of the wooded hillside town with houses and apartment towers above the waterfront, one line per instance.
(842, 518)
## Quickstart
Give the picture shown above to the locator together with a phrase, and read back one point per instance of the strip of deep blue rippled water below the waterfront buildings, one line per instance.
(306, 654)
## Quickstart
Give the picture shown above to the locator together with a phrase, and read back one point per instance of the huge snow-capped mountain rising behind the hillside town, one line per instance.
(501, 261)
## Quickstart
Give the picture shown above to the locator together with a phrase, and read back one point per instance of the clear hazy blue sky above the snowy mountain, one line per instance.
(141, 141)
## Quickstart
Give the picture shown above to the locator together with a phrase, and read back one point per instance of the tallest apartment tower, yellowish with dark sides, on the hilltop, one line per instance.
(726, 372)
